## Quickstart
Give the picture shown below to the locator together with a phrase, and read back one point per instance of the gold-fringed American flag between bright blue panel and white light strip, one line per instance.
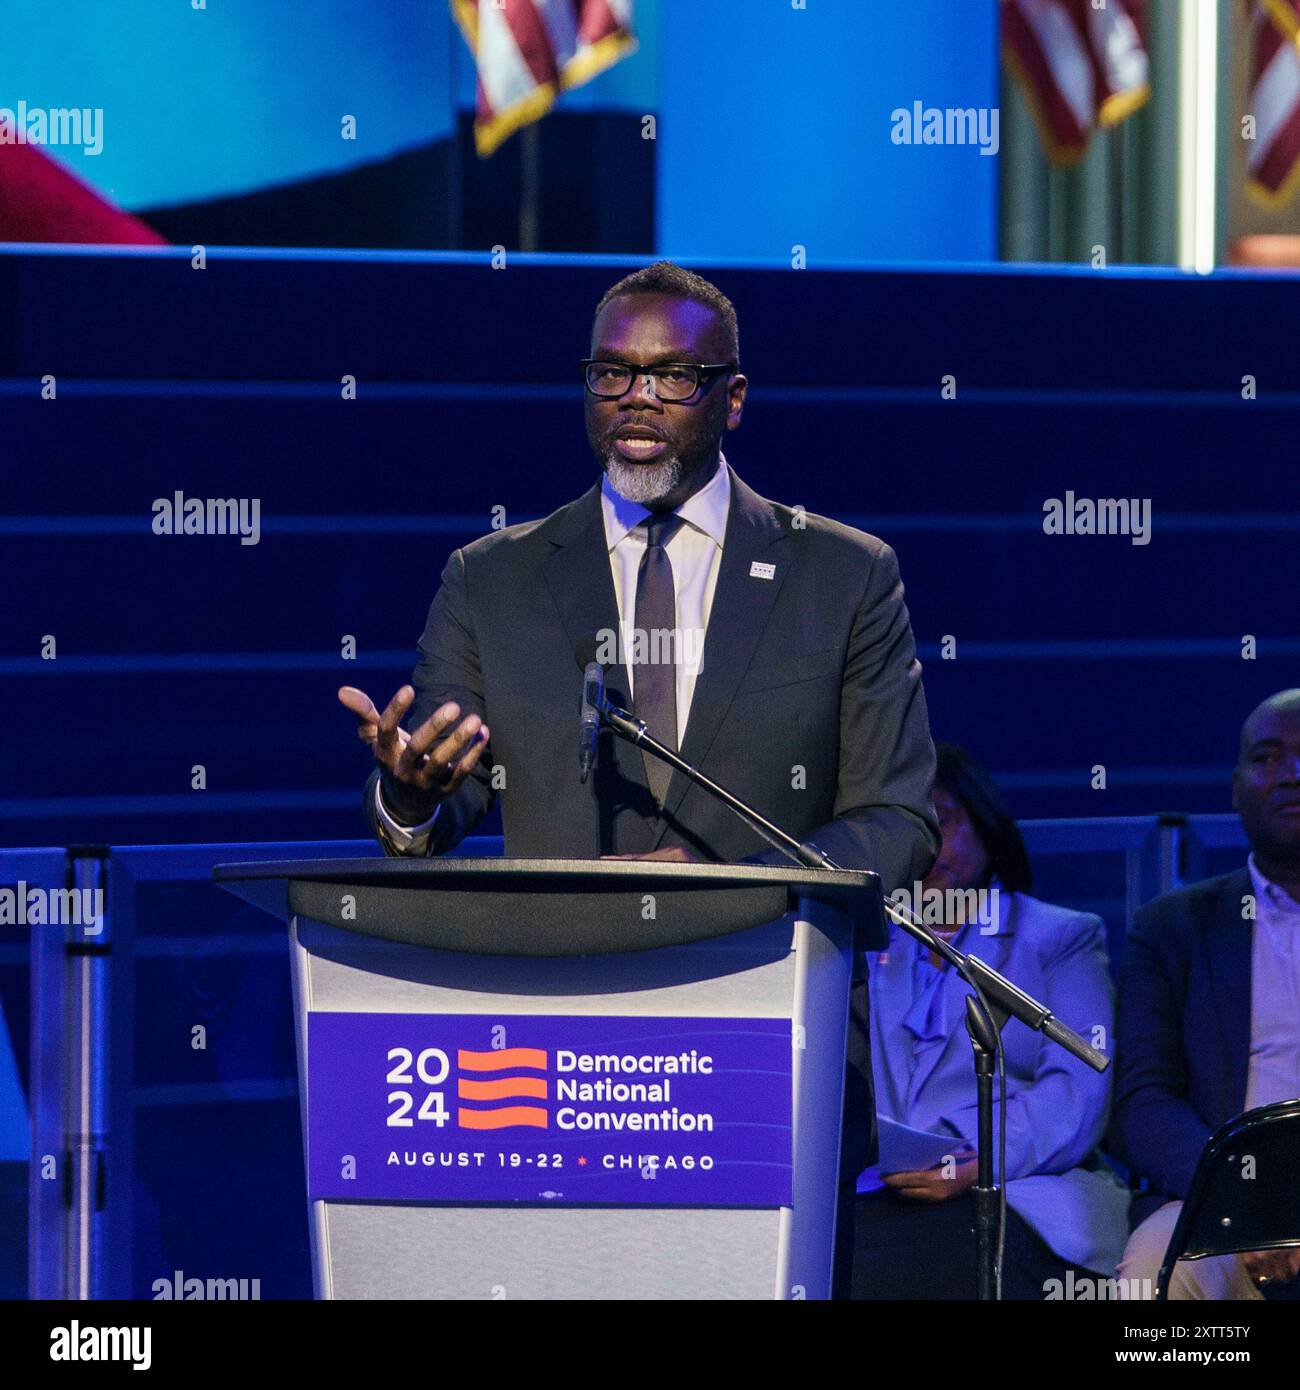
(1081, 67)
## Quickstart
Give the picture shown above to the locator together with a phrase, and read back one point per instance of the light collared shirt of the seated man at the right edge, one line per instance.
(1274, 995)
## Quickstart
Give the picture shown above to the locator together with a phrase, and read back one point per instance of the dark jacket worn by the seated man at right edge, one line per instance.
(1183, 1033)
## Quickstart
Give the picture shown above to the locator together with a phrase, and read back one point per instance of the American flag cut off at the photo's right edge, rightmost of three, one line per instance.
(1274, 162)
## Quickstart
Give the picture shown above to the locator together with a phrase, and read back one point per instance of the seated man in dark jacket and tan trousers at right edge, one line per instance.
(1209, 1020)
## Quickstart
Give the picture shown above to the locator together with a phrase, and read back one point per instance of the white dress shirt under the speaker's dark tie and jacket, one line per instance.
(696, 554)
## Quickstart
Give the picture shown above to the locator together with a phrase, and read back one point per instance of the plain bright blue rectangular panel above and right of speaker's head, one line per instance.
(775, 131)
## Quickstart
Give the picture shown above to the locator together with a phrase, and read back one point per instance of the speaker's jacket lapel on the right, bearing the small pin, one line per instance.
(740, 612)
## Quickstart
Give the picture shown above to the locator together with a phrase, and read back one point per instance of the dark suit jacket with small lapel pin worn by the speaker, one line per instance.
(809, 704)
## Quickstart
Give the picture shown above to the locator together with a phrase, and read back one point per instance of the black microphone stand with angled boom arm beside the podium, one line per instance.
(996, 999)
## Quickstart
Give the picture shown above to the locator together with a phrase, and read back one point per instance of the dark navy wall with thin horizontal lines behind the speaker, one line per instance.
(181, 651)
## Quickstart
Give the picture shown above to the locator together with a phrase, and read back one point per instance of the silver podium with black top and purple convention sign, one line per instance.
(569, 1078)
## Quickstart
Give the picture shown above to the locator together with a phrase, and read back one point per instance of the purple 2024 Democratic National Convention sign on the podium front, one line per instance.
(632, 1111)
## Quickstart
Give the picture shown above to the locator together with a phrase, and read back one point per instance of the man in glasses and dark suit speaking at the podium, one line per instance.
(770, 646)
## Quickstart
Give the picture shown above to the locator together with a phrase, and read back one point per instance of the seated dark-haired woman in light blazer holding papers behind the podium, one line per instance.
(1066, 1210)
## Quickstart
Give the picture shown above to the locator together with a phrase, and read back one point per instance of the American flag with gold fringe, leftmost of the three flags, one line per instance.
(528, 52)
